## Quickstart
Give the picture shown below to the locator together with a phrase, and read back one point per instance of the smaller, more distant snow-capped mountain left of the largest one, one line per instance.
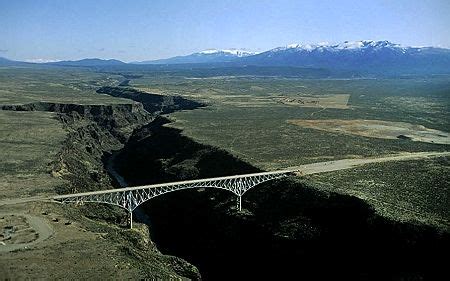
(207, 56)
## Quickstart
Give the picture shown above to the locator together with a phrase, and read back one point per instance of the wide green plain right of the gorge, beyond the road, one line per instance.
(245, 118)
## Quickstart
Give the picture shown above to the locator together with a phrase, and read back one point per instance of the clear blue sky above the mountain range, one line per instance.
(46, 30)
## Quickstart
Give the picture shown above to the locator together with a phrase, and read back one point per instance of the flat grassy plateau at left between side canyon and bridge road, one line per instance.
(29, 143)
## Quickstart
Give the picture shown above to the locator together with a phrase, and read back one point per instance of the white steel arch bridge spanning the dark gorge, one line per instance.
(130, 198)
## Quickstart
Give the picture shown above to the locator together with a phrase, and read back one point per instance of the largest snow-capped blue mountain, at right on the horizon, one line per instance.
(364, 56)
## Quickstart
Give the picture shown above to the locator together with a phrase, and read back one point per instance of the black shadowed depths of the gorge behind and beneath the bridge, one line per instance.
(286, 229)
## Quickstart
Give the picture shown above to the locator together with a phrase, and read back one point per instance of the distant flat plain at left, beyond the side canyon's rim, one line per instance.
(22, 85)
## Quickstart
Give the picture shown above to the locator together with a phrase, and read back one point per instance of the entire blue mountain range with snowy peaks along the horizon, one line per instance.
(364, 57)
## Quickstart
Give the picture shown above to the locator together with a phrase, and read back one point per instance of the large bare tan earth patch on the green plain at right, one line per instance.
(377, 129)
